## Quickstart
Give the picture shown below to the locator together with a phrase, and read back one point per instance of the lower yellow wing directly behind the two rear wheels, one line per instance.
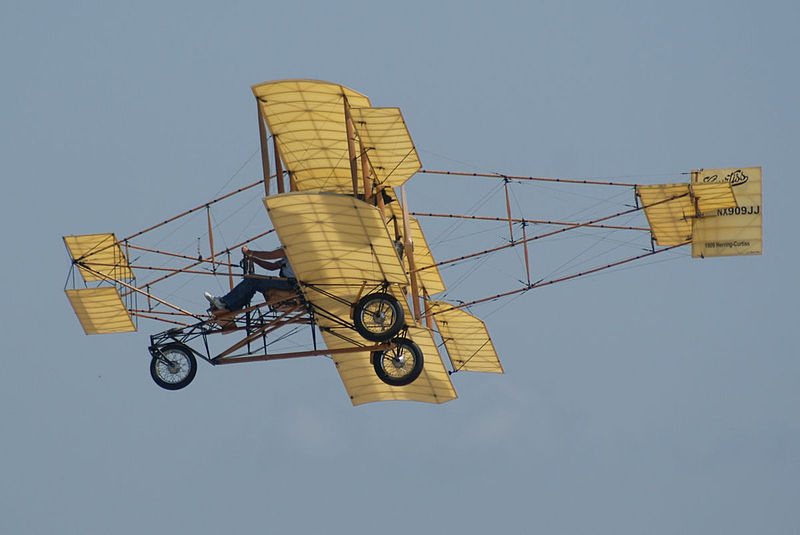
(335, 243)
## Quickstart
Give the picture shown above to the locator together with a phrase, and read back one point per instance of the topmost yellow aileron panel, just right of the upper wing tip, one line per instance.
(390, 151)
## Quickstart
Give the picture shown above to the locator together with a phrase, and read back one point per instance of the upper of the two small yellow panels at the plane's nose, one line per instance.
(99, 257)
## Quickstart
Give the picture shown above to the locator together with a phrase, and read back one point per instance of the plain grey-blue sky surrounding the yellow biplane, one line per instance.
(658, 400)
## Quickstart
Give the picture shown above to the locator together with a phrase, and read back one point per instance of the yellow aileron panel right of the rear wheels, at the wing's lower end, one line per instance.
(466, 339)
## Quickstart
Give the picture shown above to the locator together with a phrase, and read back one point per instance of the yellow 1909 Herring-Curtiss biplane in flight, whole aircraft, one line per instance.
(365, 273)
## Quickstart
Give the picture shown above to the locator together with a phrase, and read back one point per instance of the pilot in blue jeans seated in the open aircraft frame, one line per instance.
(245, 290)
